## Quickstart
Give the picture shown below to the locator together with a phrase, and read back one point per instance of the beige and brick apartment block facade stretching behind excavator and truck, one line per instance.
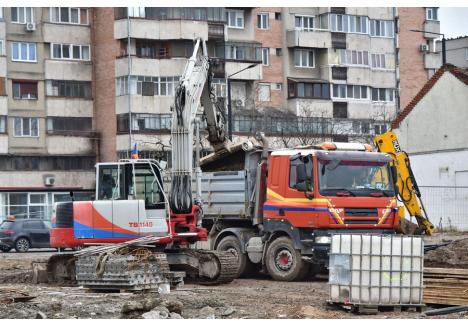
(81, 85)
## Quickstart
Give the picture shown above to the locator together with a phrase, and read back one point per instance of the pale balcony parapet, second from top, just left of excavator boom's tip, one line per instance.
(150, 67)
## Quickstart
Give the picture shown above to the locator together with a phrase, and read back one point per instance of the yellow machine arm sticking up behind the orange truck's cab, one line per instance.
(407, 188)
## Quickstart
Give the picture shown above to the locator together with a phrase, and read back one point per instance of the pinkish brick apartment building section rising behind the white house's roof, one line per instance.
(418, 58)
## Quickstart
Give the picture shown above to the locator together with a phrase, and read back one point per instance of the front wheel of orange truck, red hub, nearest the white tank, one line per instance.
(284, 262)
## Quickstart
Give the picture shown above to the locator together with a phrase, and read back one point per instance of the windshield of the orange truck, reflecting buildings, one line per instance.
(355, 178)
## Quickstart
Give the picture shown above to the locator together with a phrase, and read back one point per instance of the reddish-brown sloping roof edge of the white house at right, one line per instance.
(459, 73)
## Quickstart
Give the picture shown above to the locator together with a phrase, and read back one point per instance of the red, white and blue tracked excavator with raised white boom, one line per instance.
(137, 236)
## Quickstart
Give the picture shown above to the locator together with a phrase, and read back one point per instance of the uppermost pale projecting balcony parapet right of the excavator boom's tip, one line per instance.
(308, 39)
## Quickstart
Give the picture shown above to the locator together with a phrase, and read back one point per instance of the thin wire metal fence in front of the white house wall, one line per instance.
(447, 207)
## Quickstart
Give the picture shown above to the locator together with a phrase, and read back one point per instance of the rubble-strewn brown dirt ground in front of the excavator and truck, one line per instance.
(243, 298)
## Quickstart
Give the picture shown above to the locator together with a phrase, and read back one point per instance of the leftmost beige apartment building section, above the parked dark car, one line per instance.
(47, 145)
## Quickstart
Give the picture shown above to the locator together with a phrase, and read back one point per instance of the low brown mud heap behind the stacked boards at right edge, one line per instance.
(453, 255)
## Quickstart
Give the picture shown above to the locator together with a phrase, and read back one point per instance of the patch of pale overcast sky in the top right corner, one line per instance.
(453, 21)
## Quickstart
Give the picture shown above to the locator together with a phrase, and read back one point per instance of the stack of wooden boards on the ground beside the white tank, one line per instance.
(446, 286)
